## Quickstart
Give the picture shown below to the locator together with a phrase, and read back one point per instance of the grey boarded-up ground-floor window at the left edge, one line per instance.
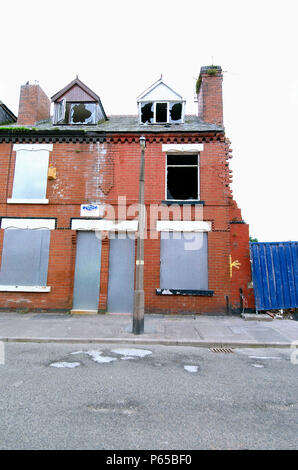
(25, 256)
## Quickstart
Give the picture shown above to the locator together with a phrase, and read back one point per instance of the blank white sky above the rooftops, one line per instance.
(120, 47)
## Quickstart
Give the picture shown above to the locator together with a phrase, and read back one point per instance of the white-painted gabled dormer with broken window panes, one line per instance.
(160, 105)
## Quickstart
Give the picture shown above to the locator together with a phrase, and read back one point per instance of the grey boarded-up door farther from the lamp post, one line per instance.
(87, 272)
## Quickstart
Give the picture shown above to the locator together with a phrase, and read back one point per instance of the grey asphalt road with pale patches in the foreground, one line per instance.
(245, 399)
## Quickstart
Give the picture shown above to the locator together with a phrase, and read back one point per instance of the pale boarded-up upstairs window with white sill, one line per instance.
(31, 174)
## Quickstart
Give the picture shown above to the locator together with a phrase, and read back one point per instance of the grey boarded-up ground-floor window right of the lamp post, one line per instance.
(184, 261)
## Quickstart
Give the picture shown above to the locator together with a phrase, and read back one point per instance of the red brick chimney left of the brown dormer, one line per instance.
(34, 105)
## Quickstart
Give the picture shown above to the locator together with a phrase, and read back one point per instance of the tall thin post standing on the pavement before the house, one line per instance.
(138, 309)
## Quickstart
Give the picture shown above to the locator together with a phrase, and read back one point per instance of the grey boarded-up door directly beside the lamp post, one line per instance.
(121, 275)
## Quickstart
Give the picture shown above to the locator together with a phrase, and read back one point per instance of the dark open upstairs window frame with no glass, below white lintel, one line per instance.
(182, 177)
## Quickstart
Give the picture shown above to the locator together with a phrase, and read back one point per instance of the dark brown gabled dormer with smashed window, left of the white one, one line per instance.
(77, 104)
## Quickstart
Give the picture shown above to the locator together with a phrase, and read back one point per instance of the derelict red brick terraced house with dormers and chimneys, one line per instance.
(69, 195)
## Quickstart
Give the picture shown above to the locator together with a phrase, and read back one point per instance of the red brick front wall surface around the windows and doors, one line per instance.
(102, 172)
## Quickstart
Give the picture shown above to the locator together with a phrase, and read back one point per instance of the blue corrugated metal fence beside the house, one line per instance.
(275, 275)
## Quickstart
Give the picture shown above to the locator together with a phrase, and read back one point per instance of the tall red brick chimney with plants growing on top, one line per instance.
(209, 90)
